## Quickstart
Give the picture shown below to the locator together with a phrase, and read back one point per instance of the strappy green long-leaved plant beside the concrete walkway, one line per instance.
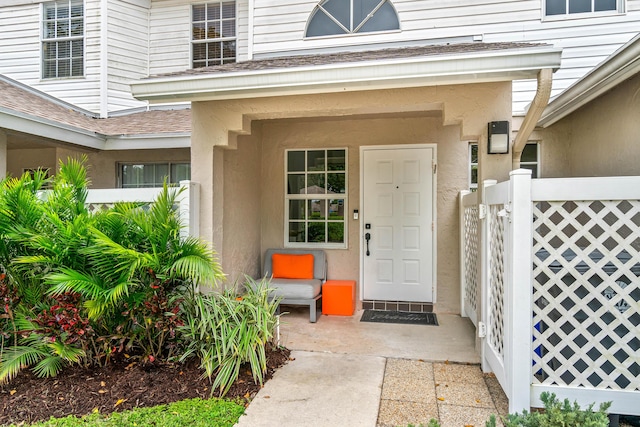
(226, 330)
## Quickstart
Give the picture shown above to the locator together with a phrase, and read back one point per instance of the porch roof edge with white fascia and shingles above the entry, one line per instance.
(383, 69)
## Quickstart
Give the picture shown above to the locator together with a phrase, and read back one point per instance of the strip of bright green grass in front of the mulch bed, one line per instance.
(186, 413)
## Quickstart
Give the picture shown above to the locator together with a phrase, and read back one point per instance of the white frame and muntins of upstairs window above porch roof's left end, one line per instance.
(192, 42)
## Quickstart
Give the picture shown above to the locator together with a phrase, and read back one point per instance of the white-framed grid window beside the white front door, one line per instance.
(316, 198)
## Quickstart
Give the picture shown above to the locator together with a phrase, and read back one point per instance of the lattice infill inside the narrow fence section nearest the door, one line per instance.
(471, 256)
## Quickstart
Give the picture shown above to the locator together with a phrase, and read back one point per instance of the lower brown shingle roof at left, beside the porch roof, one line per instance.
(29, 102)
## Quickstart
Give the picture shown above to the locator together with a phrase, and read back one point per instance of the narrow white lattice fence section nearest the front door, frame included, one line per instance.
(470, 234)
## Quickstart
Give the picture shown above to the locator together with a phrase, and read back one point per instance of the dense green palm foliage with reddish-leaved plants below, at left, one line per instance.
(82, 287)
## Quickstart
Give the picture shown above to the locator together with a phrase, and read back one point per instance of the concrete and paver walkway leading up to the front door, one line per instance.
(348, 373)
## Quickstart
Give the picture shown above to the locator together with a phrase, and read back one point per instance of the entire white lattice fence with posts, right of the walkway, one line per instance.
(560, 287)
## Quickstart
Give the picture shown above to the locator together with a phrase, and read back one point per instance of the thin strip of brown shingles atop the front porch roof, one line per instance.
(350, 57)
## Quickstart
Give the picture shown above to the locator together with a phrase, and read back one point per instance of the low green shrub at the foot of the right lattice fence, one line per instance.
(557, 414)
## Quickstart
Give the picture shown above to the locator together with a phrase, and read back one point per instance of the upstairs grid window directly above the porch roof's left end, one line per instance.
(213, 32)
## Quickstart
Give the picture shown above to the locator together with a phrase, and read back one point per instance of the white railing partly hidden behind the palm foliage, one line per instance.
(187, 202)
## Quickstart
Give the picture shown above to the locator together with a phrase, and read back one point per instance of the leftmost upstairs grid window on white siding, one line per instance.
(63, 39)
